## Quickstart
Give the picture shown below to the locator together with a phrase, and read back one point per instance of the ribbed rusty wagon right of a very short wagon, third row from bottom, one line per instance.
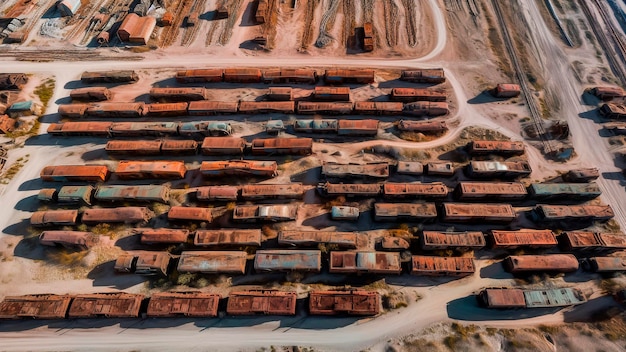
(433, 240)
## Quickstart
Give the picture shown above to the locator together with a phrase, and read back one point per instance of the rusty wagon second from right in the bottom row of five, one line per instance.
(265, 302)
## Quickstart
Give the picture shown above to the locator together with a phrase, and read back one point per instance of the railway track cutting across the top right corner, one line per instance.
(615, 54)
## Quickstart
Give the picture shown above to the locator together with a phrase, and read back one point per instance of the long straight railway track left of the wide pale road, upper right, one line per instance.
(521, 77)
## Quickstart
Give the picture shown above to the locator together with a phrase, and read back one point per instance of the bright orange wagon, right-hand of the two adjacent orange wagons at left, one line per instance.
(156, 169)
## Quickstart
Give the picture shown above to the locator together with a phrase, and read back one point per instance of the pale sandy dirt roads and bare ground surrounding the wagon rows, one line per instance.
(440, 301)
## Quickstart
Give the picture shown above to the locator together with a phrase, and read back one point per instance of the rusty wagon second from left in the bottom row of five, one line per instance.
(109, 305)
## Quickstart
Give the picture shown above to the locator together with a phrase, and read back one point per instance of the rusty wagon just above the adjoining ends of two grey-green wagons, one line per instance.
(228, 238)
